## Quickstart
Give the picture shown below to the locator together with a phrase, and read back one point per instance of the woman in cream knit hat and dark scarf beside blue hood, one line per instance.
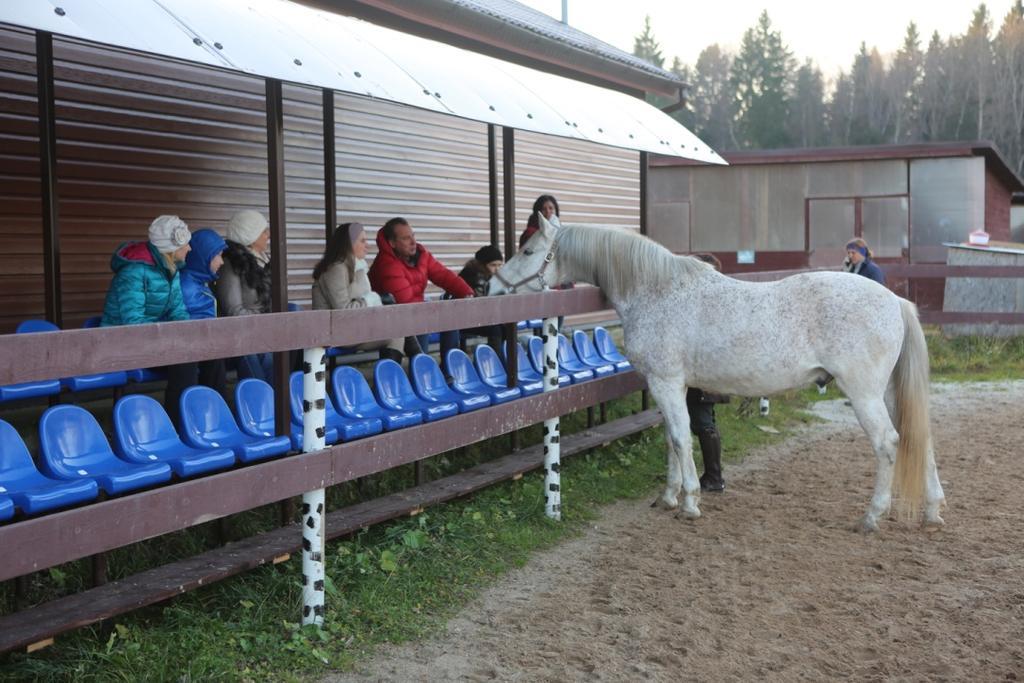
(244, 286)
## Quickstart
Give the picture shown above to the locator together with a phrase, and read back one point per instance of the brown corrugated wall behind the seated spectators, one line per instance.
(140, 137)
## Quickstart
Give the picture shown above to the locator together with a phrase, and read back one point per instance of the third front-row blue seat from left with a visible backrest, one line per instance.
(144, 434)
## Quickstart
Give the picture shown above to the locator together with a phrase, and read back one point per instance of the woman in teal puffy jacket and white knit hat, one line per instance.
(147, 288)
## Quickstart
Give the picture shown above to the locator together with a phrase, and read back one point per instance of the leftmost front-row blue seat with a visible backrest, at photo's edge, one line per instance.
(29, 490)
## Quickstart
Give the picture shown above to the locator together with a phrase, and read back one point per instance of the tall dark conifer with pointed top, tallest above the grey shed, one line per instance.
(760, 76)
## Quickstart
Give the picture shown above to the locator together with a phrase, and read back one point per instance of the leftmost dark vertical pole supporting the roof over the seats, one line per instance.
(49, 177)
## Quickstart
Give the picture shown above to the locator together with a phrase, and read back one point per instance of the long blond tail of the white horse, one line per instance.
(911, 379)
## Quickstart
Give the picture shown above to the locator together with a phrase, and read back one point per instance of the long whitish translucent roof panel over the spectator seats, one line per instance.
(292, 42)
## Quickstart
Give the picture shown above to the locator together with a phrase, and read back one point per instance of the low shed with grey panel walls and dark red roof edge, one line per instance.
(797, 208)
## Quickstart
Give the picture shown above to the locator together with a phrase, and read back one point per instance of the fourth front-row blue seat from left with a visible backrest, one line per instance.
(208, 423)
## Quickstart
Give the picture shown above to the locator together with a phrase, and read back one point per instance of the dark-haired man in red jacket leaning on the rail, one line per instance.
(403, 269)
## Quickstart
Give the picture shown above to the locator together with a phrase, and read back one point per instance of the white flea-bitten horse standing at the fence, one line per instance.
(687, 325)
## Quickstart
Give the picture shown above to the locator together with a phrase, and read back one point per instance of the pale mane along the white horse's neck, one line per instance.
(622, 262)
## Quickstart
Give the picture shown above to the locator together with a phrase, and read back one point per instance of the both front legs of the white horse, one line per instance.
(671, 397)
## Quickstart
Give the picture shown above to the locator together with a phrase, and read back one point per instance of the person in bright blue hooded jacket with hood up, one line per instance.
(202, 267)
